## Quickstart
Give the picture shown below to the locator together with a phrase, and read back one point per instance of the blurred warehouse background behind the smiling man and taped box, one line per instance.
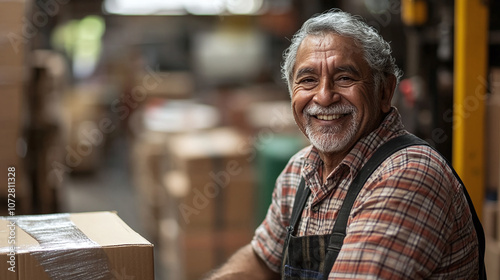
(173, 113)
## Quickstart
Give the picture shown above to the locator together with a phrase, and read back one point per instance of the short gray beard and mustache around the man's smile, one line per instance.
(326, 139)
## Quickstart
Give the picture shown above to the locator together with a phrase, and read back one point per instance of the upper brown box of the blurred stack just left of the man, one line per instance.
(218, 188)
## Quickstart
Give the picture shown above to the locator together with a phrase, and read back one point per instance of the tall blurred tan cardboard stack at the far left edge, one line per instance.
(12, 77)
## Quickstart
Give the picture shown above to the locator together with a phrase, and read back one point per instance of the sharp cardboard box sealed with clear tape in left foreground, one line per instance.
(75, 246)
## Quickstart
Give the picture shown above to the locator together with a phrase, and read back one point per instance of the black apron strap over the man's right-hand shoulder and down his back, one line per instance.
(387, 149)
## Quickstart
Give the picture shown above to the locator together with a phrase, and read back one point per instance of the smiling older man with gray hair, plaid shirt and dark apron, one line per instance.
(410, 220)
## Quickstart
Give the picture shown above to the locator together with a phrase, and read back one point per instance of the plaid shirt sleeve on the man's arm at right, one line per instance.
(404, 225)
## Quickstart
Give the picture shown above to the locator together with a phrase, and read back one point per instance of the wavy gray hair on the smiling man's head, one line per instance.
(377, 51)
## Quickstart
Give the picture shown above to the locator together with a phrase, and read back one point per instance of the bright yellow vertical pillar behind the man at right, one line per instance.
(471, 47)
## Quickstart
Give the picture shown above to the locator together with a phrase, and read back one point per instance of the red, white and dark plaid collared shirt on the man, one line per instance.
(410, 220)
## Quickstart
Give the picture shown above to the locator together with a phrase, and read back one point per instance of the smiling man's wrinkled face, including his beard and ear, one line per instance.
(334, 101)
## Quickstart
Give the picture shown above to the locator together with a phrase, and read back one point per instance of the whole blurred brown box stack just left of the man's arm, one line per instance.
(209, 207)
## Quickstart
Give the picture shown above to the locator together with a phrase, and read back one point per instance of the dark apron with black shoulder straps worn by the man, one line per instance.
(312, 257)
